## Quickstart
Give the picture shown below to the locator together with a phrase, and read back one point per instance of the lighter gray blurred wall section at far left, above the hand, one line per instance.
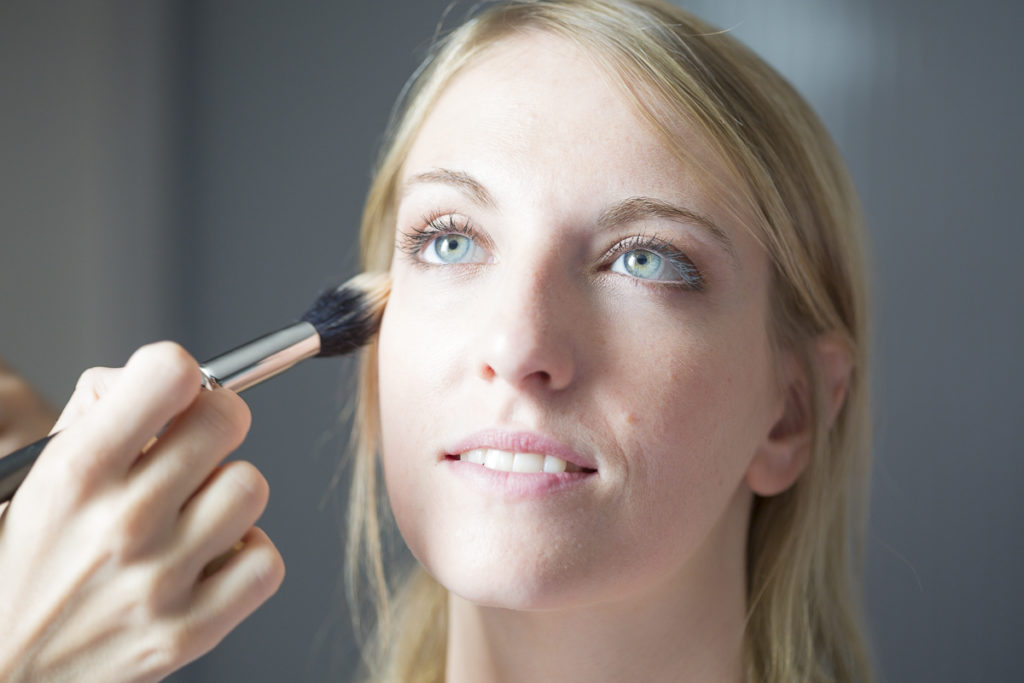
(89, 259)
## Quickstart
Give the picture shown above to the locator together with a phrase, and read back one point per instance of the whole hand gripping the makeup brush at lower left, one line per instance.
(103, 550)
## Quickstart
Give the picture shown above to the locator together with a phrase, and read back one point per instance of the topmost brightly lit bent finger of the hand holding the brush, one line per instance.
(159, 381)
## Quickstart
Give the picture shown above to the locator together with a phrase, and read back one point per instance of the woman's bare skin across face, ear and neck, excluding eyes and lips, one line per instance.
(673, 396)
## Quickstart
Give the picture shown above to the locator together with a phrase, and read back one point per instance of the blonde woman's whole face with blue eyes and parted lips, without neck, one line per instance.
(568, 298)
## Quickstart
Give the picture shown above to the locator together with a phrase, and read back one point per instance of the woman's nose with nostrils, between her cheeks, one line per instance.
(528, 340)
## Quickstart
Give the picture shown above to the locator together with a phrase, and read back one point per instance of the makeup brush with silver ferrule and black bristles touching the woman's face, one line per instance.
(342, 321)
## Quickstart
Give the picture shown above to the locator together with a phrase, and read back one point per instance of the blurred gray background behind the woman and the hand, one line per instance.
(195, 170)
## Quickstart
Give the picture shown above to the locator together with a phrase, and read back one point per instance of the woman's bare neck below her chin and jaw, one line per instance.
(689, 629)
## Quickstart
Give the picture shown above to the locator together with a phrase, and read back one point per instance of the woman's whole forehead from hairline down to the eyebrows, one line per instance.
(542, 114)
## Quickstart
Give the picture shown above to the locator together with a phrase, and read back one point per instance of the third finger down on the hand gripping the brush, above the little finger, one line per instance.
(220, 515)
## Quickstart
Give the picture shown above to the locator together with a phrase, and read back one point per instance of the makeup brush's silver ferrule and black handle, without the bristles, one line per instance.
(238, 370)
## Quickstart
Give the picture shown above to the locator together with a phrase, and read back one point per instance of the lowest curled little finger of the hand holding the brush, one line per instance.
(246, 582)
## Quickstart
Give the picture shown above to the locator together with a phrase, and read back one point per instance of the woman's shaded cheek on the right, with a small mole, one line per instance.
(687, 414)
